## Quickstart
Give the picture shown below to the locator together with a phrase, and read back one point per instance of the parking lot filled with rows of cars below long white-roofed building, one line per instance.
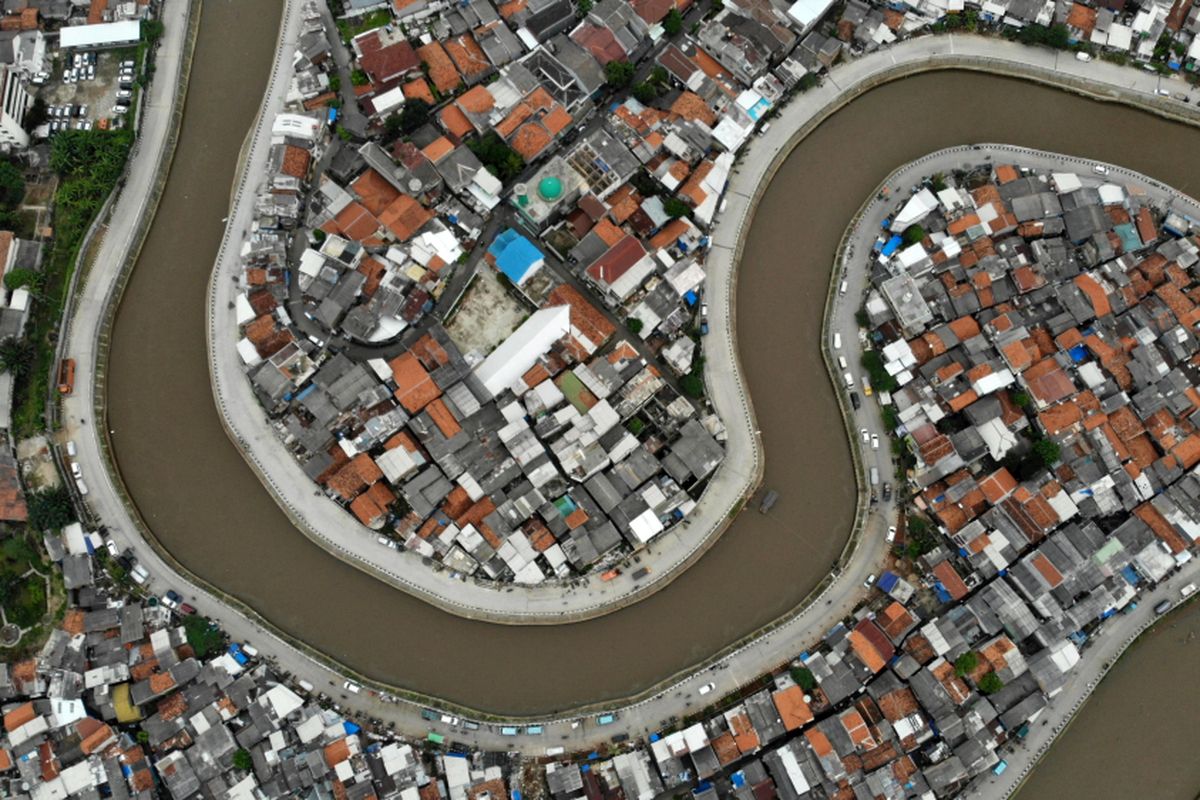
(87, 91)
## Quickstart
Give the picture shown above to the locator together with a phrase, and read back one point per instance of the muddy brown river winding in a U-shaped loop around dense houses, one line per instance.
(209, 509)
